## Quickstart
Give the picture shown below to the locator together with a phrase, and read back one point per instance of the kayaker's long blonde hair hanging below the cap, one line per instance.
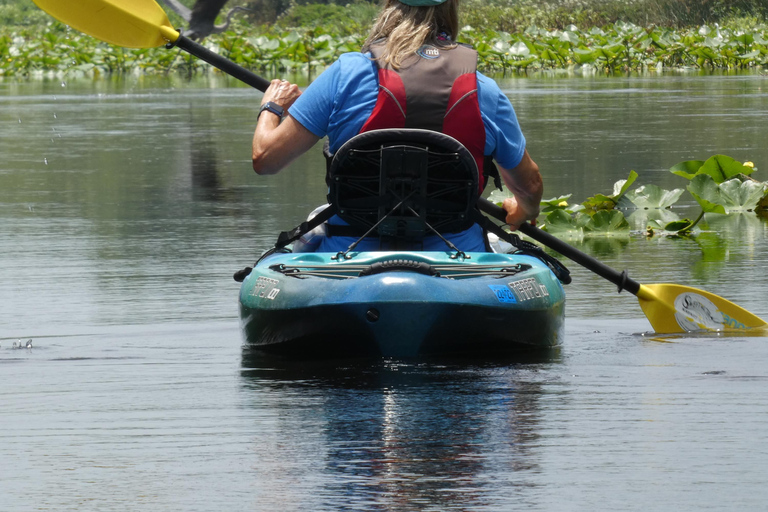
(407, 28)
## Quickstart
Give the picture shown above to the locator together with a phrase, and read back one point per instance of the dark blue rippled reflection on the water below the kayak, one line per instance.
(395, 435)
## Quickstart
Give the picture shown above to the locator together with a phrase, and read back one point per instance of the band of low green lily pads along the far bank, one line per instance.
(618, 47)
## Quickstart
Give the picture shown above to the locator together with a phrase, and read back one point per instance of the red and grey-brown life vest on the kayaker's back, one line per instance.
(436, 89)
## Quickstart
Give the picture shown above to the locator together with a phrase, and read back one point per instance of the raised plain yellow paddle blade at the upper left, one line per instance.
(127, 23)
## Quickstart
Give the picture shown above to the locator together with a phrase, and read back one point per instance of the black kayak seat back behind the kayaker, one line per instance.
(401, 180)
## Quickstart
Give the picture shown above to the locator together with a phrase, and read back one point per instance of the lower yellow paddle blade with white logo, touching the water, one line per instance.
(674, 308)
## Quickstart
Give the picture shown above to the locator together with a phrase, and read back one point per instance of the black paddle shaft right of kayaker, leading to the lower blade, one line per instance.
(618, 278)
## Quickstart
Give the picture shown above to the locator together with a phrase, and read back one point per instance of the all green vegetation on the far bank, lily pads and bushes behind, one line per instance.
(584, 36)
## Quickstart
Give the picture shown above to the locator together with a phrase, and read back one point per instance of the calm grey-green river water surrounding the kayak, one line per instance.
(127, 204)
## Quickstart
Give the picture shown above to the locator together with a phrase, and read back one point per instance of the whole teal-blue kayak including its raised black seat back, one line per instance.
(401, 186)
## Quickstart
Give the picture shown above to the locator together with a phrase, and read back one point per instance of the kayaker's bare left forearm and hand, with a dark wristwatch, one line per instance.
(275, 143)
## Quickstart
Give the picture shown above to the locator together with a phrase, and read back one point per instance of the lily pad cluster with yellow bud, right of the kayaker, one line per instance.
(719, 185)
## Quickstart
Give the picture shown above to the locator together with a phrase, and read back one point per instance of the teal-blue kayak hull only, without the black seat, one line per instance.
(400, 304)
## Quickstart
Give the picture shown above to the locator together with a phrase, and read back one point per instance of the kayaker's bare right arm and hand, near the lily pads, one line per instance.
(525, 182)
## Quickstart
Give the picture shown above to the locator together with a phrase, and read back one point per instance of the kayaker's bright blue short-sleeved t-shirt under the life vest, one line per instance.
(341, 100)
